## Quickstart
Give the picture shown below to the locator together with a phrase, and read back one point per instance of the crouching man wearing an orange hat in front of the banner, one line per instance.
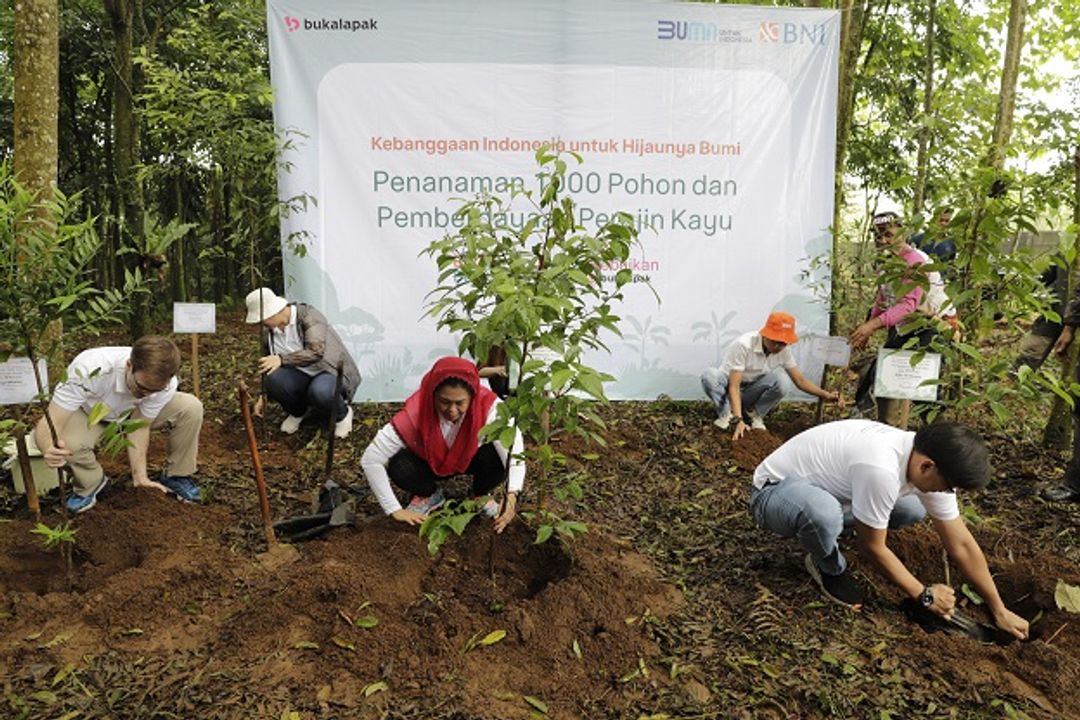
(758, 373)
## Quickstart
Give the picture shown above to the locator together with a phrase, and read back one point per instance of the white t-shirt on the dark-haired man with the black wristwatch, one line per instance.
(862, 464)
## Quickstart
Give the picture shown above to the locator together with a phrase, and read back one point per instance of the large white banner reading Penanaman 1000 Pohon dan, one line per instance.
(713, 126)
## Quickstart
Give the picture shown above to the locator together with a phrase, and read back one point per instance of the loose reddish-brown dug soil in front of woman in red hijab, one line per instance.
(364, 617)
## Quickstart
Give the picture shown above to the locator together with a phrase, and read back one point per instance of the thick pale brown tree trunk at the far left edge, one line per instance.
(37, 93)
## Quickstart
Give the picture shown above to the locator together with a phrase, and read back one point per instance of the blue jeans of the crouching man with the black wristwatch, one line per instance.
(796, 509)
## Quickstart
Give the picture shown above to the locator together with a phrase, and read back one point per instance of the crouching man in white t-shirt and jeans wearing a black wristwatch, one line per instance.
(879, 479)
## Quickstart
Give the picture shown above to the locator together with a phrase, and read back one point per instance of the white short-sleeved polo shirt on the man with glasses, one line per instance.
(98, 376)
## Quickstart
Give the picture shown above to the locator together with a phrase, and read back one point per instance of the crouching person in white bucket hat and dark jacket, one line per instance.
(302, 354)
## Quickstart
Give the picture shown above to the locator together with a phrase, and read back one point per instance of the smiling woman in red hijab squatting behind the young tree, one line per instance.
(435, 438)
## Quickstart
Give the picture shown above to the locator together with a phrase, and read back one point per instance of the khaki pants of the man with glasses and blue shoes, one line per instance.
(183, 416)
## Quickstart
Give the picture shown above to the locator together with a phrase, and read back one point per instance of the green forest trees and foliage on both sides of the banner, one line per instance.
(154, 119)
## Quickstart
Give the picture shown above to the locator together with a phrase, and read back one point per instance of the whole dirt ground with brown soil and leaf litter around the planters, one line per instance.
(673, 606)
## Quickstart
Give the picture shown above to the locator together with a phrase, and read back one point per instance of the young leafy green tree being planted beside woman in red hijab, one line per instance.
(546, 293)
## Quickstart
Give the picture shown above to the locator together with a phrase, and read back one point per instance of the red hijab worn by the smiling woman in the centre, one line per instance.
(418, 424)
